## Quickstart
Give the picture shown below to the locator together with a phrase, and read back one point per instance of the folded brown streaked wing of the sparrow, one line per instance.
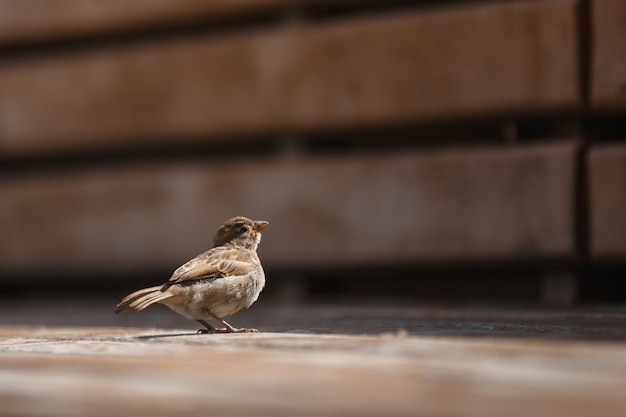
(212, 264)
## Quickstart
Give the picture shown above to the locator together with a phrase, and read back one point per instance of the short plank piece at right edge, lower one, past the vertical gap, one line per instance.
(607, 173)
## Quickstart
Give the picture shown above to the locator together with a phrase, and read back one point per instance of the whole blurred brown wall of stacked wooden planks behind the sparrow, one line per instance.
(398, 148)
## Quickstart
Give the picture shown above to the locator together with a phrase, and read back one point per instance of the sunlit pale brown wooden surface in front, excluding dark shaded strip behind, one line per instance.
(66, 371)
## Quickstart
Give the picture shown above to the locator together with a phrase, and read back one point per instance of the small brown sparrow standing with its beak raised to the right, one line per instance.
(215, 284)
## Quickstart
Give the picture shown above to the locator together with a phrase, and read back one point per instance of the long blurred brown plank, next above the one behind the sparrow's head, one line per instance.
(401, 68)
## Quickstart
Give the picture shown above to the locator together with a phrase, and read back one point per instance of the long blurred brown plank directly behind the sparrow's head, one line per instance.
(483, 205)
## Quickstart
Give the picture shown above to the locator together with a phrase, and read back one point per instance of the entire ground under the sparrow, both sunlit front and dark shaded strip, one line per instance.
(66, 358)
